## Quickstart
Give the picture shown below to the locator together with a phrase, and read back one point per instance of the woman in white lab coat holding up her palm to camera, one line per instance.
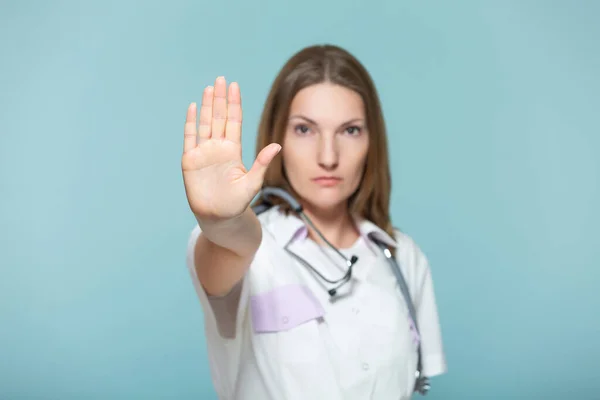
(276, 325)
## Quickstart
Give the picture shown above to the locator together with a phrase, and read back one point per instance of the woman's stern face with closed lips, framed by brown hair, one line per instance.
(325, 145)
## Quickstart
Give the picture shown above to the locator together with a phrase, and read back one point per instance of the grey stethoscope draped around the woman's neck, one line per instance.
(422, 384)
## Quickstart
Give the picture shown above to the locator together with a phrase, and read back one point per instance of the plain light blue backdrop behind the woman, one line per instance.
(492, 108)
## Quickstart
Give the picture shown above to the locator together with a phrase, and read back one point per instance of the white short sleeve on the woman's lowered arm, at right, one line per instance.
(434, 359)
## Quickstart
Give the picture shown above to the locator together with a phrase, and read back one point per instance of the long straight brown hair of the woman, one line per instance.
(327, 63)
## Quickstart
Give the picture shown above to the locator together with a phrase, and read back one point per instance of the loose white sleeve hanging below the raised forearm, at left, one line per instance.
(223, 340)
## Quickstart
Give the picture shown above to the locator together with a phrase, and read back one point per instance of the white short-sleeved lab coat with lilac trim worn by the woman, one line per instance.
(279, 335)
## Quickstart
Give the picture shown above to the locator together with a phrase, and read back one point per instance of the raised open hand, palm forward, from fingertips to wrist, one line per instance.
(217, 185)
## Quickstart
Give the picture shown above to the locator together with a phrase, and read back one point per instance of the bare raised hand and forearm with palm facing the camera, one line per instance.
(219, 189)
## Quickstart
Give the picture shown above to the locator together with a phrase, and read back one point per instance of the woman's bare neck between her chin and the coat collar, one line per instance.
(335, 224)
